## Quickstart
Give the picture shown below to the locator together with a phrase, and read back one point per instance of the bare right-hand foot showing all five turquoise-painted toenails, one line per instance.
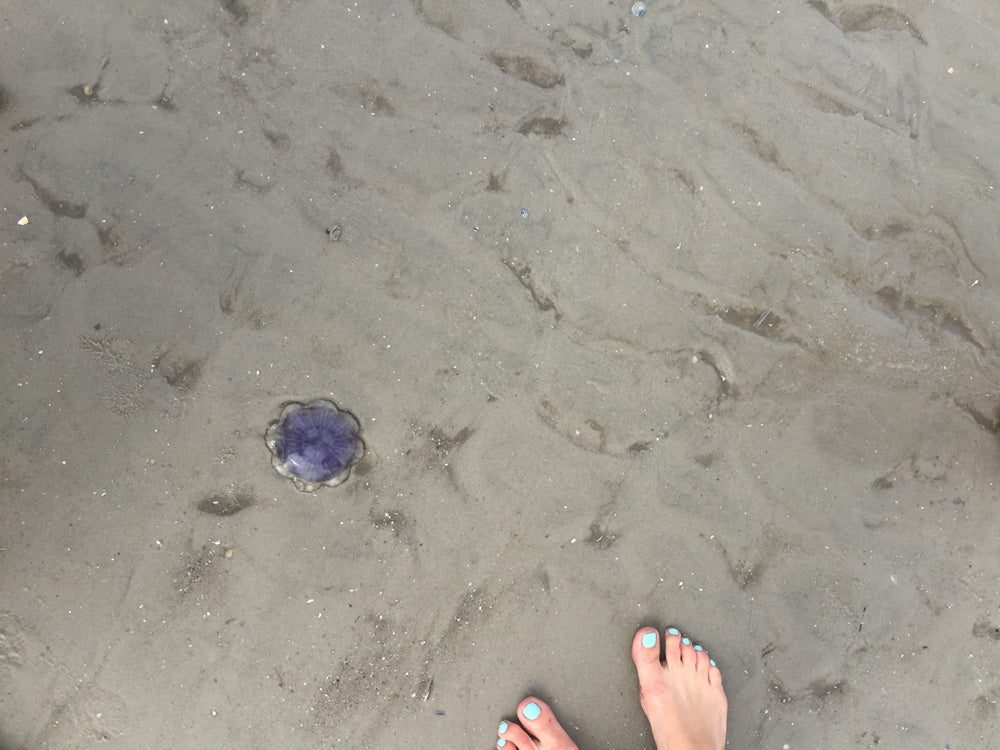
(681, 695)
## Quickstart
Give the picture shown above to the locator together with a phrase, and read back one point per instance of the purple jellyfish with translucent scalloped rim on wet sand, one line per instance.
(314, 444)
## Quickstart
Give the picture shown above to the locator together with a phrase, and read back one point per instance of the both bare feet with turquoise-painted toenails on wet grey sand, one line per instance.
(680, 690)
